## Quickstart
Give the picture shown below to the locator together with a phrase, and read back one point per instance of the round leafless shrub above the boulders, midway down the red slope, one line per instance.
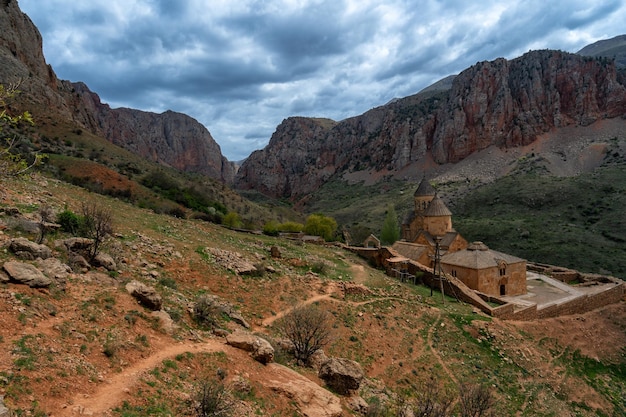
(308, 328)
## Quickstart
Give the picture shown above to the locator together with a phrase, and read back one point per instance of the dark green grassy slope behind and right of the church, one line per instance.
(574, 222)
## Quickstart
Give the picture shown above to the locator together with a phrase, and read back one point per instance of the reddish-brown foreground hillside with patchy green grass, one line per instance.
(404, 338)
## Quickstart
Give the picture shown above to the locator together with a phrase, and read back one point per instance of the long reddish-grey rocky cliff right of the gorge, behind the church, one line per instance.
(504, 103)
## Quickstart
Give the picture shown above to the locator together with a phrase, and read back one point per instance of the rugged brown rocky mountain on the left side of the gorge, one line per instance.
(170, 138)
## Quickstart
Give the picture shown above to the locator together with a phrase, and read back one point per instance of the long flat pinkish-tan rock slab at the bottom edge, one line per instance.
(311, 399)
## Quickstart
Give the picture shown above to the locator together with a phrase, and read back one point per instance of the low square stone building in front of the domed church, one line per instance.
(487, 271)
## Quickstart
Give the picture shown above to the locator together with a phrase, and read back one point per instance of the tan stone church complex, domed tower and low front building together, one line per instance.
(478, 267)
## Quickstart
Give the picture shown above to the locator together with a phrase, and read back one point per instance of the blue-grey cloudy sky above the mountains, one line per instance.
(241, 66)
